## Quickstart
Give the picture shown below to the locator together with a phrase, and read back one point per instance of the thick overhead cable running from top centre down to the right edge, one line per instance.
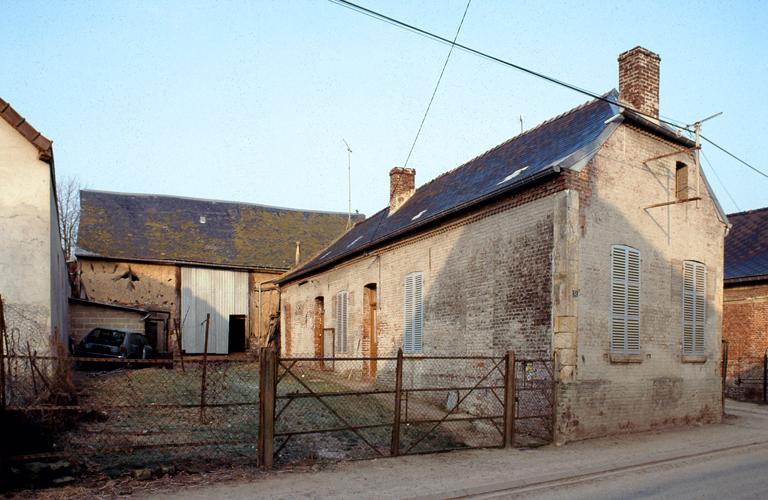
(409, 27)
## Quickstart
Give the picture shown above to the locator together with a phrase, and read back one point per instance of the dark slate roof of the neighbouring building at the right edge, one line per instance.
(746, 247)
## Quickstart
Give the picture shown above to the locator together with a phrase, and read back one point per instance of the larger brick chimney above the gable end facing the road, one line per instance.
(639, 80)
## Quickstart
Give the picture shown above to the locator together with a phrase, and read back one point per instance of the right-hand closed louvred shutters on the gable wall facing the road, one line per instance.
(694, 307)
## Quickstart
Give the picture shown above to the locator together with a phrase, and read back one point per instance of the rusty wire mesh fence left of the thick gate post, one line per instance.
(114, 415)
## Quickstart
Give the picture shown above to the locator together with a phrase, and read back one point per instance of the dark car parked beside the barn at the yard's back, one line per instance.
(108, 343)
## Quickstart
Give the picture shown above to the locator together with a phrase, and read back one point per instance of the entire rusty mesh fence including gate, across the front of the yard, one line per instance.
(115, 415)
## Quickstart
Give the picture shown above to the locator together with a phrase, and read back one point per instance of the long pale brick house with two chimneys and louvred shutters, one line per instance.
(589, 236)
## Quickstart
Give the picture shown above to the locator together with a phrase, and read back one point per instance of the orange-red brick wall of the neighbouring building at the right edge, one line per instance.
(745, 328)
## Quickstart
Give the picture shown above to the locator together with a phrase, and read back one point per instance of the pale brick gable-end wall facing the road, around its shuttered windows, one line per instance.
(661, 387)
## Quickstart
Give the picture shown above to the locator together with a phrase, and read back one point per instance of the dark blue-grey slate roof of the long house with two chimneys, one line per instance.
(566, 141)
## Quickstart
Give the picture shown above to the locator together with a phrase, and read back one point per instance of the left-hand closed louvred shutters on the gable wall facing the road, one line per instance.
(625, 300)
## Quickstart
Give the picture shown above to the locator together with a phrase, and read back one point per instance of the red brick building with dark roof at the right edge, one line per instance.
(745, 303)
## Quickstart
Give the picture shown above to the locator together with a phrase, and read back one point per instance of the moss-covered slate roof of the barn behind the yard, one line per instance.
(154, 228)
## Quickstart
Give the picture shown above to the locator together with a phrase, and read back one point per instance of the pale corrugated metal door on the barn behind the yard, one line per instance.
(214, 292)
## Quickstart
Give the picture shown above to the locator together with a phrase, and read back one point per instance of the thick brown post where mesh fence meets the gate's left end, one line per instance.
(267, 389)
